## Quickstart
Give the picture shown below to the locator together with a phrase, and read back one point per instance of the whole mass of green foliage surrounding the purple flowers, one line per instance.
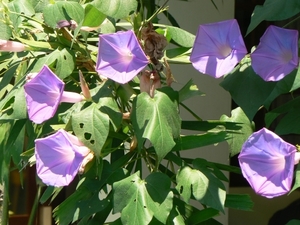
(137, 137)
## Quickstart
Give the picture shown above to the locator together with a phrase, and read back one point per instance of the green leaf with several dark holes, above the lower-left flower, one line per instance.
(91, 126)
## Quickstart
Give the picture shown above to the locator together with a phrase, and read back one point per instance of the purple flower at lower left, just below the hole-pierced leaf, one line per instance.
(59, 158)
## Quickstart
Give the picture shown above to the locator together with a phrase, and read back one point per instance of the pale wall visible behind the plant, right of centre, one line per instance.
(190, 15)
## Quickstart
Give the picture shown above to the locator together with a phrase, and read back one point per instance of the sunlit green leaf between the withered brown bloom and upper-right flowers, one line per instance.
(181, 37)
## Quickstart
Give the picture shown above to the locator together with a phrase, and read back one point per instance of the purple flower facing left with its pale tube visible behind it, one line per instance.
(43, 94)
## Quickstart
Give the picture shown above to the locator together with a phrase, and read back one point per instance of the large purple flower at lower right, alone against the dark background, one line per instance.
(267, 162)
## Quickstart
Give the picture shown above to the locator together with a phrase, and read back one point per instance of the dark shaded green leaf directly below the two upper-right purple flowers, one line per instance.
(247, 89)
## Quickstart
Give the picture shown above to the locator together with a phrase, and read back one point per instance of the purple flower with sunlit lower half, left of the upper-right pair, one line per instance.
(218, 48)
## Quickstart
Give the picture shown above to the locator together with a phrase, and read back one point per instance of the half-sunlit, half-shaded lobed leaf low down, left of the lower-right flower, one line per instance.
(205, 187)
